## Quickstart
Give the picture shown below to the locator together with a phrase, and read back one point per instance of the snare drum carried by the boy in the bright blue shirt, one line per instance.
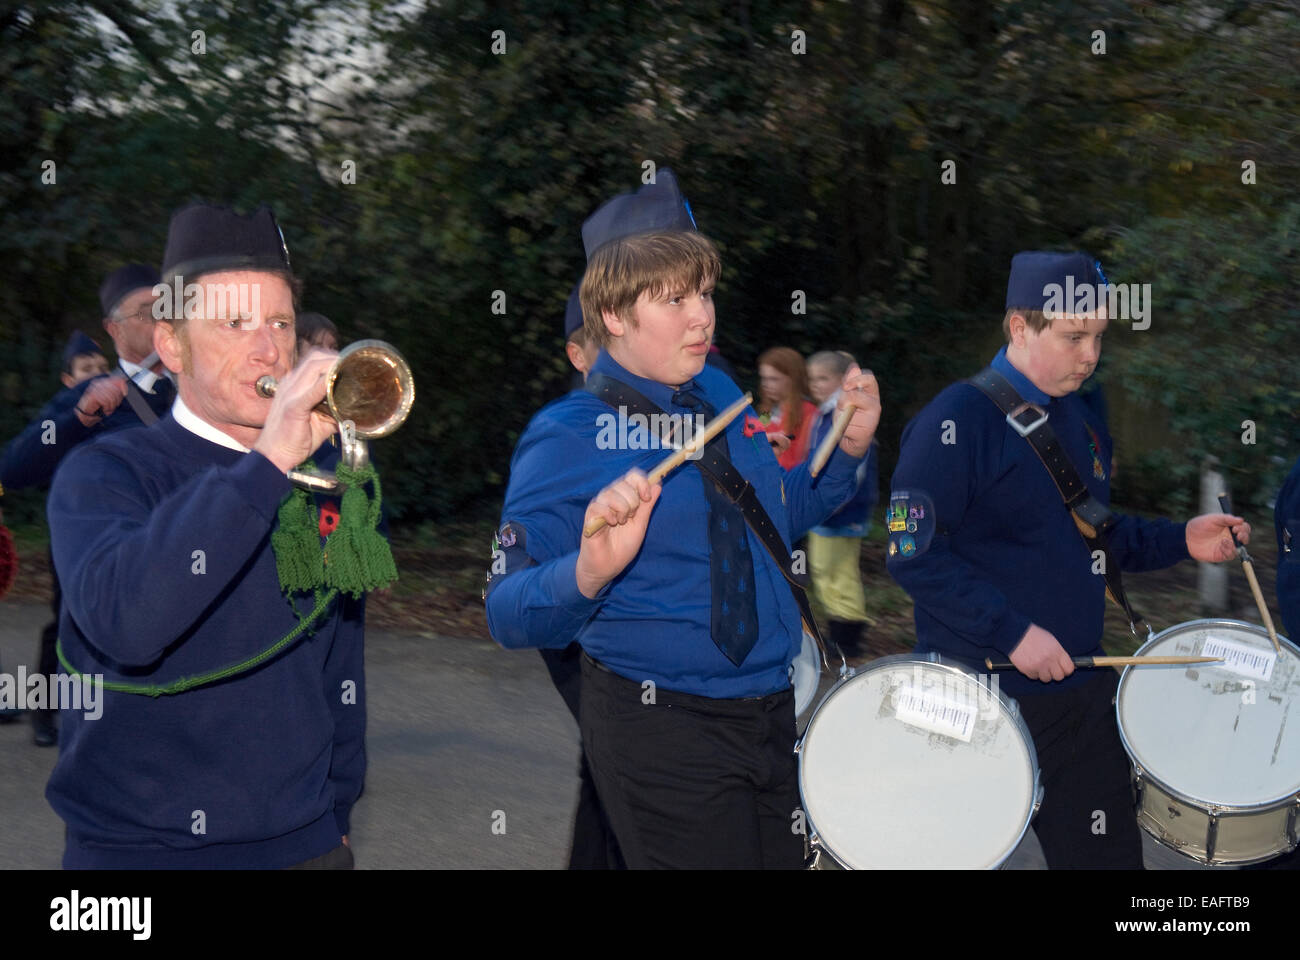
(917, 764)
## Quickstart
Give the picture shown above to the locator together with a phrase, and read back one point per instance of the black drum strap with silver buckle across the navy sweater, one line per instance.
(1093, 518)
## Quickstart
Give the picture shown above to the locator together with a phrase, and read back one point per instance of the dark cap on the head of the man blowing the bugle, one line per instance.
(203, 239)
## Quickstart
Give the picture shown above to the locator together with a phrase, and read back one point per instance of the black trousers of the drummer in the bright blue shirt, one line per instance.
(694, 782)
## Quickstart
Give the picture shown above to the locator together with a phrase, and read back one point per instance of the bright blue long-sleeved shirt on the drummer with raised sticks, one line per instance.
(653, 621)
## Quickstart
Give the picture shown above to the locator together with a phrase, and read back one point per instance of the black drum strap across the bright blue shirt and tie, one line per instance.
(738, 490)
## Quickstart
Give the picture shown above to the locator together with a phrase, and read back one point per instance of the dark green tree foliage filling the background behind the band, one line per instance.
(816, 172)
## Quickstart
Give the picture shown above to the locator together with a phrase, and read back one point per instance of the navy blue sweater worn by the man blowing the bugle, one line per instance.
(272, 759)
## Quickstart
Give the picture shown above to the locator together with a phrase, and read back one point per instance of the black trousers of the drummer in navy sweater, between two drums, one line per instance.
(1087, 819)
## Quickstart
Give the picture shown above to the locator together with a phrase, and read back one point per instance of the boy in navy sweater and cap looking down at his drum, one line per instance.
(1000, 552)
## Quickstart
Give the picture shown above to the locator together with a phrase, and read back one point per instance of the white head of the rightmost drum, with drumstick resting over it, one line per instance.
(1216, 733)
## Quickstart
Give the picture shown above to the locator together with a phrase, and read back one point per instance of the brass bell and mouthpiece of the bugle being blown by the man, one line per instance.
(370, 384)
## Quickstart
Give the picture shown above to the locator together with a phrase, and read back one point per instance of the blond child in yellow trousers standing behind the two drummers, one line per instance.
(835, 546)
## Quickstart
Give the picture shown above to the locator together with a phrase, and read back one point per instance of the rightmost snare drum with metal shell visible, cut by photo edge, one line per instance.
(1215, 747)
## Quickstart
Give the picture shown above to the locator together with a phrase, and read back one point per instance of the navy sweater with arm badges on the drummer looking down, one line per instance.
(1004, 551)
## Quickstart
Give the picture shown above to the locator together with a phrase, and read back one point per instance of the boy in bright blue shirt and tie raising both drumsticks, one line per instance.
(687, 622)
